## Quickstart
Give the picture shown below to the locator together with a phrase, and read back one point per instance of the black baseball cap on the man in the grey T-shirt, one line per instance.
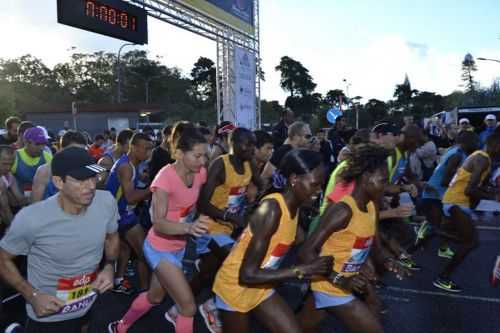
(75, 162)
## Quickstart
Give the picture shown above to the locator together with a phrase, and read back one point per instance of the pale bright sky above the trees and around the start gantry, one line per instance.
(371, 44)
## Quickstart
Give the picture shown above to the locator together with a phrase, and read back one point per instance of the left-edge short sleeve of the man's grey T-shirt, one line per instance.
(20, 236)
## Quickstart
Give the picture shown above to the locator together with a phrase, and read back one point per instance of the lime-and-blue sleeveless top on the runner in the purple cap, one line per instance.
(25, 167)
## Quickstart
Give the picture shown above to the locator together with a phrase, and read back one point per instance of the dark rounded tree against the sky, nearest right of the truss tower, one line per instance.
(295, 78)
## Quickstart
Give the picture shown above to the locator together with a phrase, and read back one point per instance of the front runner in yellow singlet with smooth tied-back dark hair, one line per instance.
(245, 283)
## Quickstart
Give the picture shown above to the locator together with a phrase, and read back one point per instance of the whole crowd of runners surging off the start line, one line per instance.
(237, 212)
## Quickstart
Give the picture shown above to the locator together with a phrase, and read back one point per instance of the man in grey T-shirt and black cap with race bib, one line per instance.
(64, 238)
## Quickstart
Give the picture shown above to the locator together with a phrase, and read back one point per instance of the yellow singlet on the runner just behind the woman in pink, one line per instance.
(230, 195)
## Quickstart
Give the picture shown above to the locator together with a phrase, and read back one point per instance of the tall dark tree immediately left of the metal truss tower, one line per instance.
(204, 80)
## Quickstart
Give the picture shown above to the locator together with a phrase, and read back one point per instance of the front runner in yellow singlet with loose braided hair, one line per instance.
(348, 231)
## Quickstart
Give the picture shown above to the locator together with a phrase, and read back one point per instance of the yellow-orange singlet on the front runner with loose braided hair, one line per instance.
(349, 247)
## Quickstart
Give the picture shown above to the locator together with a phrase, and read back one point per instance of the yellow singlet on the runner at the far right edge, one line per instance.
(456, 190)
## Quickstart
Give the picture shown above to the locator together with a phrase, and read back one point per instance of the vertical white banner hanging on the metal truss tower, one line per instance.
(245, 110)
